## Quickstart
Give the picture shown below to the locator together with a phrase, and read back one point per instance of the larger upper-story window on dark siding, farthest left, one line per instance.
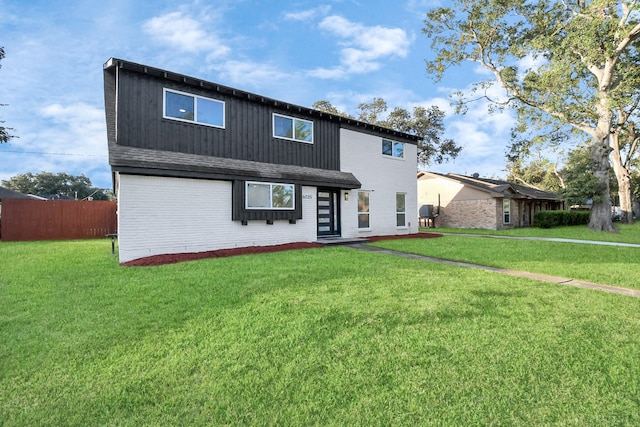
(192, 108)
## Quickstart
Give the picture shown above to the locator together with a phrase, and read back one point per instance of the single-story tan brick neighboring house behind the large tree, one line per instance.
(472, 202)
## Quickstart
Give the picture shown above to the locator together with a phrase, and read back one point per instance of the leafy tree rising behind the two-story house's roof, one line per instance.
(427, 123)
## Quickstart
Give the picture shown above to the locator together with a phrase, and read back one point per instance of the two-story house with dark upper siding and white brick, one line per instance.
(199, 166)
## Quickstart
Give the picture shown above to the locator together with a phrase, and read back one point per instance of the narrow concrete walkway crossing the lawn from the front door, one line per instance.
(534, 276)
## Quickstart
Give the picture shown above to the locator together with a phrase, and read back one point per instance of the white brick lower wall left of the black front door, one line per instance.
(159, 215)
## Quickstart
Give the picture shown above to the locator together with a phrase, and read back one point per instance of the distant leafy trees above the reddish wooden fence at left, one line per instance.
(47, 184)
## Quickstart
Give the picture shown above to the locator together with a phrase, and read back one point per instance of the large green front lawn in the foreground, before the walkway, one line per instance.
(329, 336)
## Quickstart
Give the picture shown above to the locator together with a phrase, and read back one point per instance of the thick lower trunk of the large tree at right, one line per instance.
(600, 218)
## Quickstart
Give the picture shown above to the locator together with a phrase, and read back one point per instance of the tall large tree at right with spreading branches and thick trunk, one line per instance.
(558, 61)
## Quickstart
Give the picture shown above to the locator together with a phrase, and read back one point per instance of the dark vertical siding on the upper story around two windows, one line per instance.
(247, 136)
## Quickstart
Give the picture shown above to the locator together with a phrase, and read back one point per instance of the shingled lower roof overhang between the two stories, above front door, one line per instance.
(169, 163)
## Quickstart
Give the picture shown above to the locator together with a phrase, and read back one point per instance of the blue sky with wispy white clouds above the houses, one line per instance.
(343, 51)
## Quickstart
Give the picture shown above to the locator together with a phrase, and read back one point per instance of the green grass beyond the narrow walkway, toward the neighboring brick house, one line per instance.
(617, 266)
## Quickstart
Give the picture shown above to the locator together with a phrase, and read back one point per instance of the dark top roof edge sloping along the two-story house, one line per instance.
(345, 121)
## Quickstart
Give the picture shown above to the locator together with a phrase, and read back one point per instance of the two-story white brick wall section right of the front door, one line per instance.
(361, 154)
